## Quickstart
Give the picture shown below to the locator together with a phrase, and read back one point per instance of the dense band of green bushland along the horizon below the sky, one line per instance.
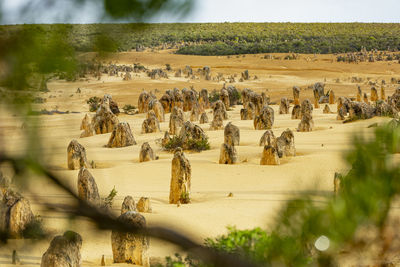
(229, 38)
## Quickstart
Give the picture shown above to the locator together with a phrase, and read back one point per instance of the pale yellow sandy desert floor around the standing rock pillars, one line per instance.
(258, 191)
